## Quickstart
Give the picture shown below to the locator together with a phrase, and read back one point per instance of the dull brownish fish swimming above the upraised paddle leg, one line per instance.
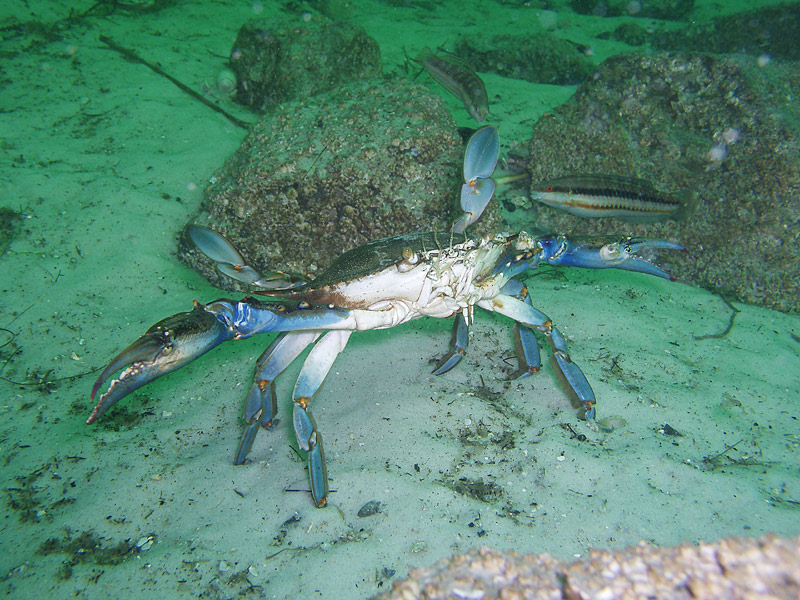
(458, 78)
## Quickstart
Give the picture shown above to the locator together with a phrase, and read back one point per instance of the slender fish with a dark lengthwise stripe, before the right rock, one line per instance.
(597, 196)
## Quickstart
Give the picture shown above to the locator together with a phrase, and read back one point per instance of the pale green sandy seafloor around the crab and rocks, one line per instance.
(107, 161)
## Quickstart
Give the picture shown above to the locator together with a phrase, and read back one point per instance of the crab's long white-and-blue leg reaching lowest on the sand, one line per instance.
(315, 368)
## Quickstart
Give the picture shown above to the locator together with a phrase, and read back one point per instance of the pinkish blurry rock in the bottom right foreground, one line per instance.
(767, 567)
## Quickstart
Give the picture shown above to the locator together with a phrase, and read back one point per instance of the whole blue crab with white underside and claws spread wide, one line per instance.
(379, 285)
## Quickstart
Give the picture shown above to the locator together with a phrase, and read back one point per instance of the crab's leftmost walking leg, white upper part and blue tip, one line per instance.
(261, 406)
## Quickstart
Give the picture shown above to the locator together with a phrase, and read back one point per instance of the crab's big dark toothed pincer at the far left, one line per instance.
(168, 345)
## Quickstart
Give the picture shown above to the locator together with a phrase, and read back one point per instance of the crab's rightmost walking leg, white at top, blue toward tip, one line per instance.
(524, 313)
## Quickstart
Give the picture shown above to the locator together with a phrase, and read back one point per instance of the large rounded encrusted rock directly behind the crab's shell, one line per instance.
(322, 175)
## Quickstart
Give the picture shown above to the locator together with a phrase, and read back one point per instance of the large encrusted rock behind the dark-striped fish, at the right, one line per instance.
(722, 127)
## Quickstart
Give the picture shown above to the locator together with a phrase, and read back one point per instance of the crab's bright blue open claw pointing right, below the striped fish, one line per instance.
(602, 253)
